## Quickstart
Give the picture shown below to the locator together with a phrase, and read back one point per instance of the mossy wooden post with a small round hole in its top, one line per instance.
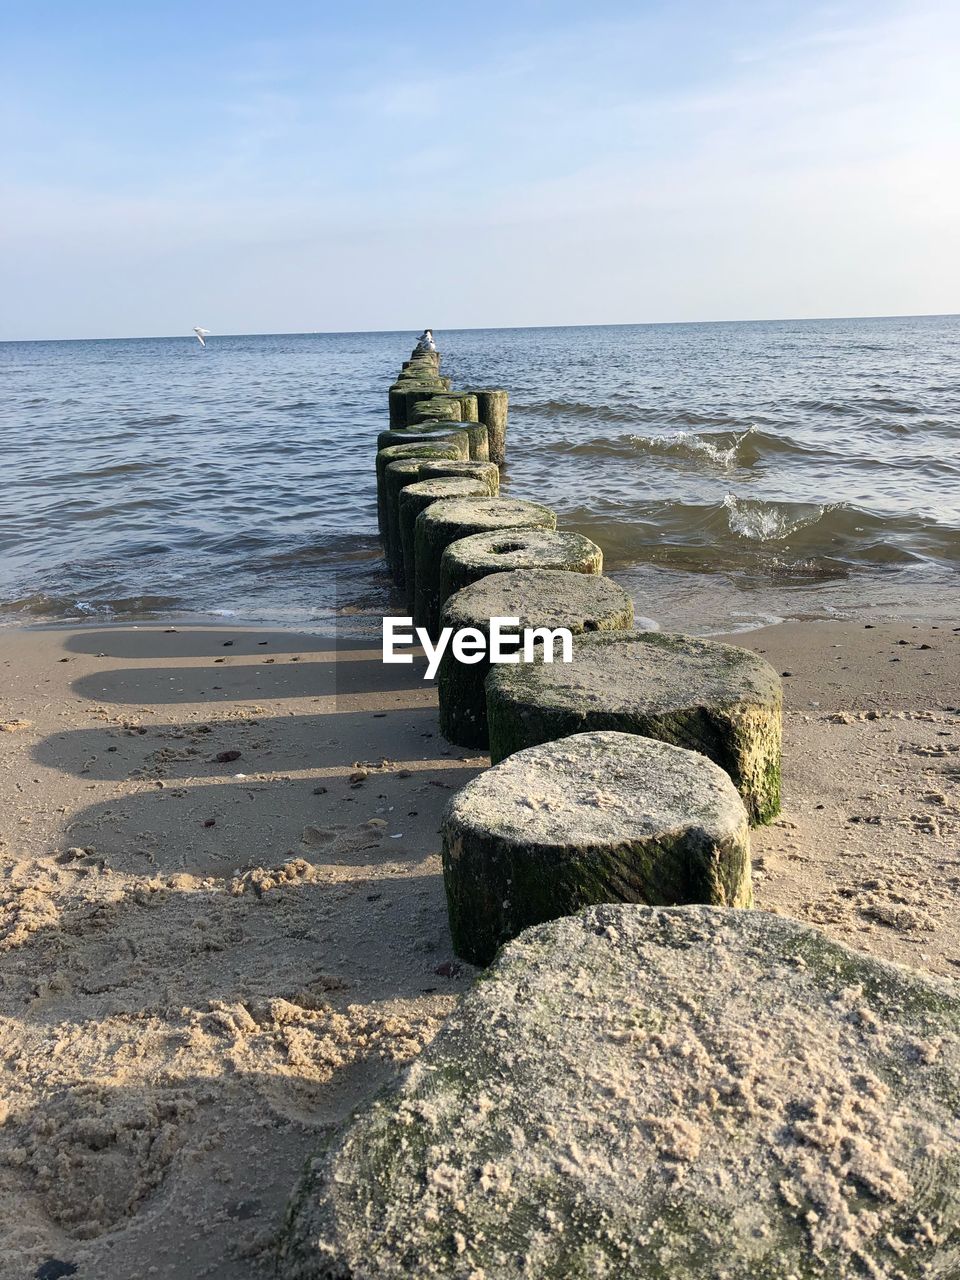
(472, 559)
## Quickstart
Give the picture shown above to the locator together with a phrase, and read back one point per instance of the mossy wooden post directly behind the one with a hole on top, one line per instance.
(444, 524)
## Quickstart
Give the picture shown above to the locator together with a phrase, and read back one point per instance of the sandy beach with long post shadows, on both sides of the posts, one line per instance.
(205, 963)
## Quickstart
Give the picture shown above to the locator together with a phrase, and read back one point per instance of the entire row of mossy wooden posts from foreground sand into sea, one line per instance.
(629, 1092)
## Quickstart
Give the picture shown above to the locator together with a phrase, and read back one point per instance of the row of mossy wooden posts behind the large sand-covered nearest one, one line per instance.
(670, 747)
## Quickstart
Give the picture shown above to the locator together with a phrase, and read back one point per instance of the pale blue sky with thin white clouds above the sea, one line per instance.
(300, 167)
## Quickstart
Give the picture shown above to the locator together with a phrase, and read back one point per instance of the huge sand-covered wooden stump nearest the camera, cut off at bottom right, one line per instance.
(655, 1094)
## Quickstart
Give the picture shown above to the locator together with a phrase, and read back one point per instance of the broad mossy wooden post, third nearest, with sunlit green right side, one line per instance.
(714, 698)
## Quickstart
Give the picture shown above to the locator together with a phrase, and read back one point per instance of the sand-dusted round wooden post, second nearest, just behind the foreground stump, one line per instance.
(529, 840)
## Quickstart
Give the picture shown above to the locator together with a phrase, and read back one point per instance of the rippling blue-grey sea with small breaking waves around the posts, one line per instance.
(730, 472)
